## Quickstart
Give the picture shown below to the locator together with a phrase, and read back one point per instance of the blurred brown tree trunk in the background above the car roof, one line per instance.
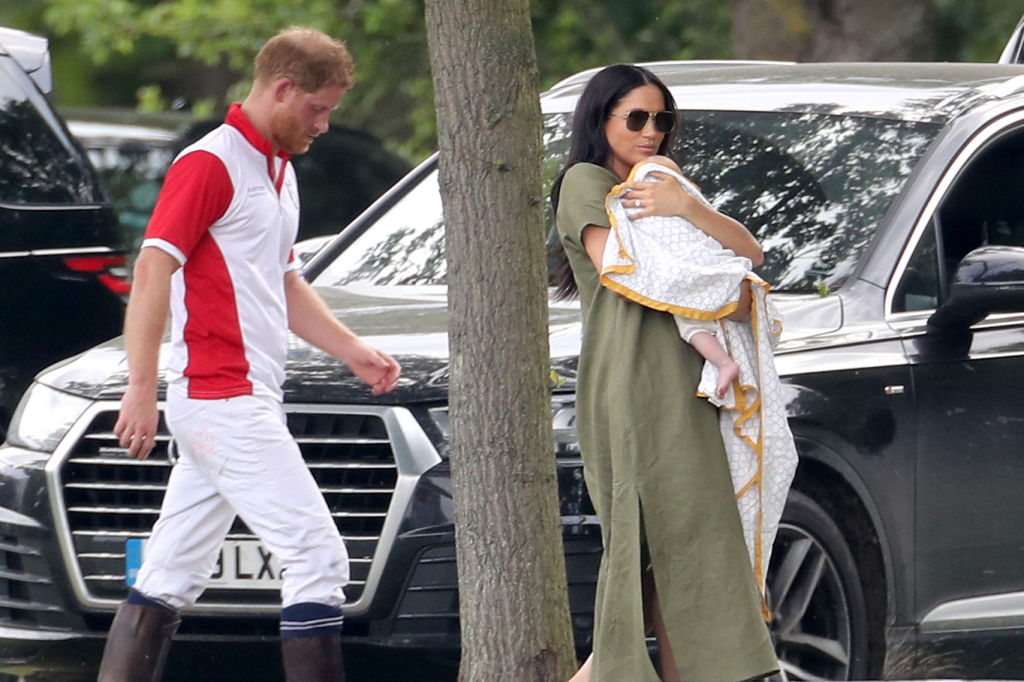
(834, 30)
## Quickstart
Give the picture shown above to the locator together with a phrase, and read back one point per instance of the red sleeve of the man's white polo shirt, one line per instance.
(196, 193)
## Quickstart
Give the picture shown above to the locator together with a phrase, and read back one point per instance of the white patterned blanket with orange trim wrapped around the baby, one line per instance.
(670, 265)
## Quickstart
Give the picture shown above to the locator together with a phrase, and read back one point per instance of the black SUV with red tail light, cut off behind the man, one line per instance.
(63, 274)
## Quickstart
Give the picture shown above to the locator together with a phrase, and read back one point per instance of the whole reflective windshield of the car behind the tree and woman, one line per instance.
(813, 188)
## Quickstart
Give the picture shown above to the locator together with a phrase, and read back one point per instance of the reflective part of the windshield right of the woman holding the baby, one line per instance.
(813, 188)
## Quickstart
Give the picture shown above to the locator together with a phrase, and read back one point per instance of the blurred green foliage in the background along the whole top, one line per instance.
(112, 49)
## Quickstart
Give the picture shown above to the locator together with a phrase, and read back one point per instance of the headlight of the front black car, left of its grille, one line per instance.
(44, 417)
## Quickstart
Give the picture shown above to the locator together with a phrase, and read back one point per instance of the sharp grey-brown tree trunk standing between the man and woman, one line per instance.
(514, 599)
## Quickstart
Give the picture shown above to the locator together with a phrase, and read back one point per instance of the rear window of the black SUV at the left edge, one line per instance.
(36, 165)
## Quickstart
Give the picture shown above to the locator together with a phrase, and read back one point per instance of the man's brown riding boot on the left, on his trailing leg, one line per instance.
(138, 645)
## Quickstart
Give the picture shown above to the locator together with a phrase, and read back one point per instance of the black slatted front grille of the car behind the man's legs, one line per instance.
(109, 498)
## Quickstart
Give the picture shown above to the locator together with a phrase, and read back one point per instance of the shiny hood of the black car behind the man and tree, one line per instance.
(409, 323)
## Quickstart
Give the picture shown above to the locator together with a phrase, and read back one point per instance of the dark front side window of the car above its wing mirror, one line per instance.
(982, 208)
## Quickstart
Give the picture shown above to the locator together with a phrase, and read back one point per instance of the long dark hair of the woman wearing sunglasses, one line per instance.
(590, 145)
